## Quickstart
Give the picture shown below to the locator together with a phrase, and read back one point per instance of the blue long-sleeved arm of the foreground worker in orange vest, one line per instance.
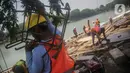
(36, 63)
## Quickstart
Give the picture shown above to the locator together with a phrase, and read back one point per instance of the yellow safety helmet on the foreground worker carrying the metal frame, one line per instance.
(34, 20)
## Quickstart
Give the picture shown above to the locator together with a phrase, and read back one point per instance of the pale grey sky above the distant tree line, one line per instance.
(74, 4)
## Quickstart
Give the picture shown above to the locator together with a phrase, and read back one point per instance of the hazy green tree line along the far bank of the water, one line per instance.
(76, 14)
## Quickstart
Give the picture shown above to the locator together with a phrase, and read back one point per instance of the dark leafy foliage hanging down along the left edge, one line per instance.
(8, 17)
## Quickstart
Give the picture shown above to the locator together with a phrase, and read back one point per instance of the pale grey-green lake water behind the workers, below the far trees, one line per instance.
(11, 56)
